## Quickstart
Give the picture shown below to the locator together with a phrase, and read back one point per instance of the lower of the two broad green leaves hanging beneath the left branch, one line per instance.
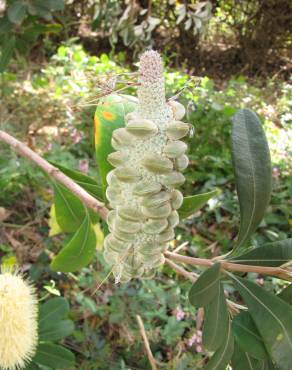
(80, 250)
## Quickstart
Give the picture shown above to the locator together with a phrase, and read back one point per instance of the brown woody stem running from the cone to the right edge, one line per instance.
(264, 270)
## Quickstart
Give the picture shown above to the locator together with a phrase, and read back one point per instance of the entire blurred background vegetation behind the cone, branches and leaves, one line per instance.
(56, 58)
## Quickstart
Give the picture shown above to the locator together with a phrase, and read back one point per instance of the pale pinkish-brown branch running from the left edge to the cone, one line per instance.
(54, 172)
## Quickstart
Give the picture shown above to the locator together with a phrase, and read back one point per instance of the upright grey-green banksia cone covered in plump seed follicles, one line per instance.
(148, 161)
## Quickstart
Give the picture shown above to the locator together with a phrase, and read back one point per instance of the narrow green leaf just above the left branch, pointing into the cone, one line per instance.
(86, 182)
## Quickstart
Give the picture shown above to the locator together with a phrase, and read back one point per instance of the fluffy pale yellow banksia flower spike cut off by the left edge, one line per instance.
(18, 321)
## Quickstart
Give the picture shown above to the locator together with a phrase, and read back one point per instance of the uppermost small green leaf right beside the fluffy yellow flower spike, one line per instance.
(53, 311)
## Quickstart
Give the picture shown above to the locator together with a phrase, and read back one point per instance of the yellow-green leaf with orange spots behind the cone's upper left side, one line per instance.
(109, 115)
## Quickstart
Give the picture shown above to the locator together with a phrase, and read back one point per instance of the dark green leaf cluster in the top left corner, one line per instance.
(22, 23)
